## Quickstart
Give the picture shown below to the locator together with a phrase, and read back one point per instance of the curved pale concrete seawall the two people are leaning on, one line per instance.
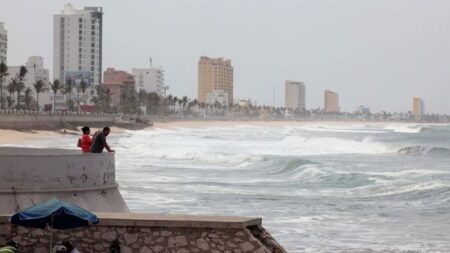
(29, 176)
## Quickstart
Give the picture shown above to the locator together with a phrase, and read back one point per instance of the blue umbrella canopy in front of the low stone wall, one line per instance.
(56, 213)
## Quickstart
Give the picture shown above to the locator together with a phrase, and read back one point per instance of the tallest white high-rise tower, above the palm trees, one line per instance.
(77, 45)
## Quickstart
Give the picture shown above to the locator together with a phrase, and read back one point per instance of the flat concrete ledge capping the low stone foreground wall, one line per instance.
(170, 221)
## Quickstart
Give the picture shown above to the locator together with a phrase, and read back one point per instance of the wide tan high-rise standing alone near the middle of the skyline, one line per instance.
(214, 74)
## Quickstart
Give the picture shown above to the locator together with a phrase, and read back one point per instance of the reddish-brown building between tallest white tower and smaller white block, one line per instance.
(119, 83)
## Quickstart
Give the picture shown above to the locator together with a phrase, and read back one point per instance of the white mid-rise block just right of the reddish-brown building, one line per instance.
(150, 79)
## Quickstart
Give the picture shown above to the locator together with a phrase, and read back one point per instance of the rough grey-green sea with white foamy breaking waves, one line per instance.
(318, 187)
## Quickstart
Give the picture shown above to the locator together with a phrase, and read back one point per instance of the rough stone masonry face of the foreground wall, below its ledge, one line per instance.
(98, 238)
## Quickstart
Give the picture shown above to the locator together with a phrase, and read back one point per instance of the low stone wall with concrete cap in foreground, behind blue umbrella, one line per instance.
(148, 233)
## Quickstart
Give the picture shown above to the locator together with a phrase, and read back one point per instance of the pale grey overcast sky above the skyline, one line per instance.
(373, 53)
